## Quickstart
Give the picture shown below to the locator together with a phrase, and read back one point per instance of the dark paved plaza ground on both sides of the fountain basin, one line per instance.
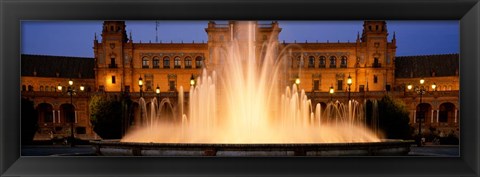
(87, 150)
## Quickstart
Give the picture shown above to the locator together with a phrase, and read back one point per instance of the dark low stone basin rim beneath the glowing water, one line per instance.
(384, 148)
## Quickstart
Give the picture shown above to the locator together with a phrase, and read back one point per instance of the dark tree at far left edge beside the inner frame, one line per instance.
(29, 121)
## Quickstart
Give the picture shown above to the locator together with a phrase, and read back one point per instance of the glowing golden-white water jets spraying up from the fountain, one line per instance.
(241, 101)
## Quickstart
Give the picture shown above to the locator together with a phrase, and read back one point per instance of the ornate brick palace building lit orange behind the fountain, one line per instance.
(118, 63)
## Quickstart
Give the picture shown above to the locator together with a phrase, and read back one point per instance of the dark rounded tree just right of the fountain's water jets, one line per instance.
(393, 118)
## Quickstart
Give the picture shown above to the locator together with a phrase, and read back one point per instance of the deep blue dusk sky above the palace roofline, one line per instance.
(75, 38)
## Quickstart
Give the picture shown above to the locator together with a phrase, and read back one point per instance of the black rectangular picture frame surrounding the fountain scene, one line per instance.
(13, 12)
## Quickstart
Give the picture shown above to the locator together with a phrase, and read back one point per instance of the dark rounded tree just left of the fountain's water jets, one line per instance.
(106, 117)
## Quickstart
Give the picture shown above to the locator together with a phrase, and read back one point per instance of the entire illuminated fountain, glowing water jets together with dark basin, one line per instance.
(239, 108)
